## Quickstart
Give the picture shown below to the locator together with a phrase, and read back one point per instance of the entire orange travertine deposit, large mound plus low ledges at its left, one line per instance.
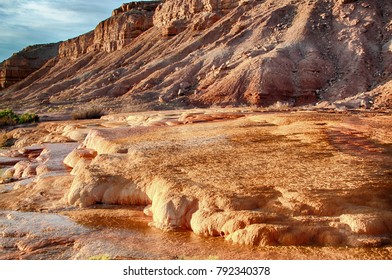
(261, 179)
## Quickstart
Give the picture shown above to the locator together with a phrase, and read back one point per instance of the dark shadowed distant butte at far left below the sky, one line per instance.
(25, 62)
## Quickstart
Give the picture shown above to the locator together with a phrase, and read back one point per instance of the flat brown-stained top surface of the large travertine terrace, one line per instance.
(261, 158)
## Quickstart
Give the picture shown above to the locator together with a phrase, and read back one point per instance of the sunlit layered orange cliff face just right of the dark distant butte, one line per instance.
(126, 23)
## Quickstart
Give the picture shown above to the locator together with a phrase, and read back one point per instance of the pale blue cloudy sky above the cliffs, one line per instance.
(30, 22)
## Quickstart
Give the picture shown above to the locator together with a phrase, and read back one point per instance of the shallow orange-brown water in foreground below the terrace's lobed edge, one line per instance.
(52, 236)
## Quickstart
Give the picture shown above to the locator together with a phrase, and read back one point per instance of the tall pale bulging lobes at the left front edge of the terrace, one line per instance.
(103, 181)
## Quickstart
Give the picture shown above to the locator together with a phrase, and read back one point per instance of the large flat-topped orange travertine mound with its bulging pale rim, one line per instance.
(219, 200)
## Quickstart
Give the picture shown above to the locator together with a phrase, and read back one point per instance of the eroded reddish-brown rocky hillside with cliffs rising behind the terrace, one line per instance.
(198, 52)
